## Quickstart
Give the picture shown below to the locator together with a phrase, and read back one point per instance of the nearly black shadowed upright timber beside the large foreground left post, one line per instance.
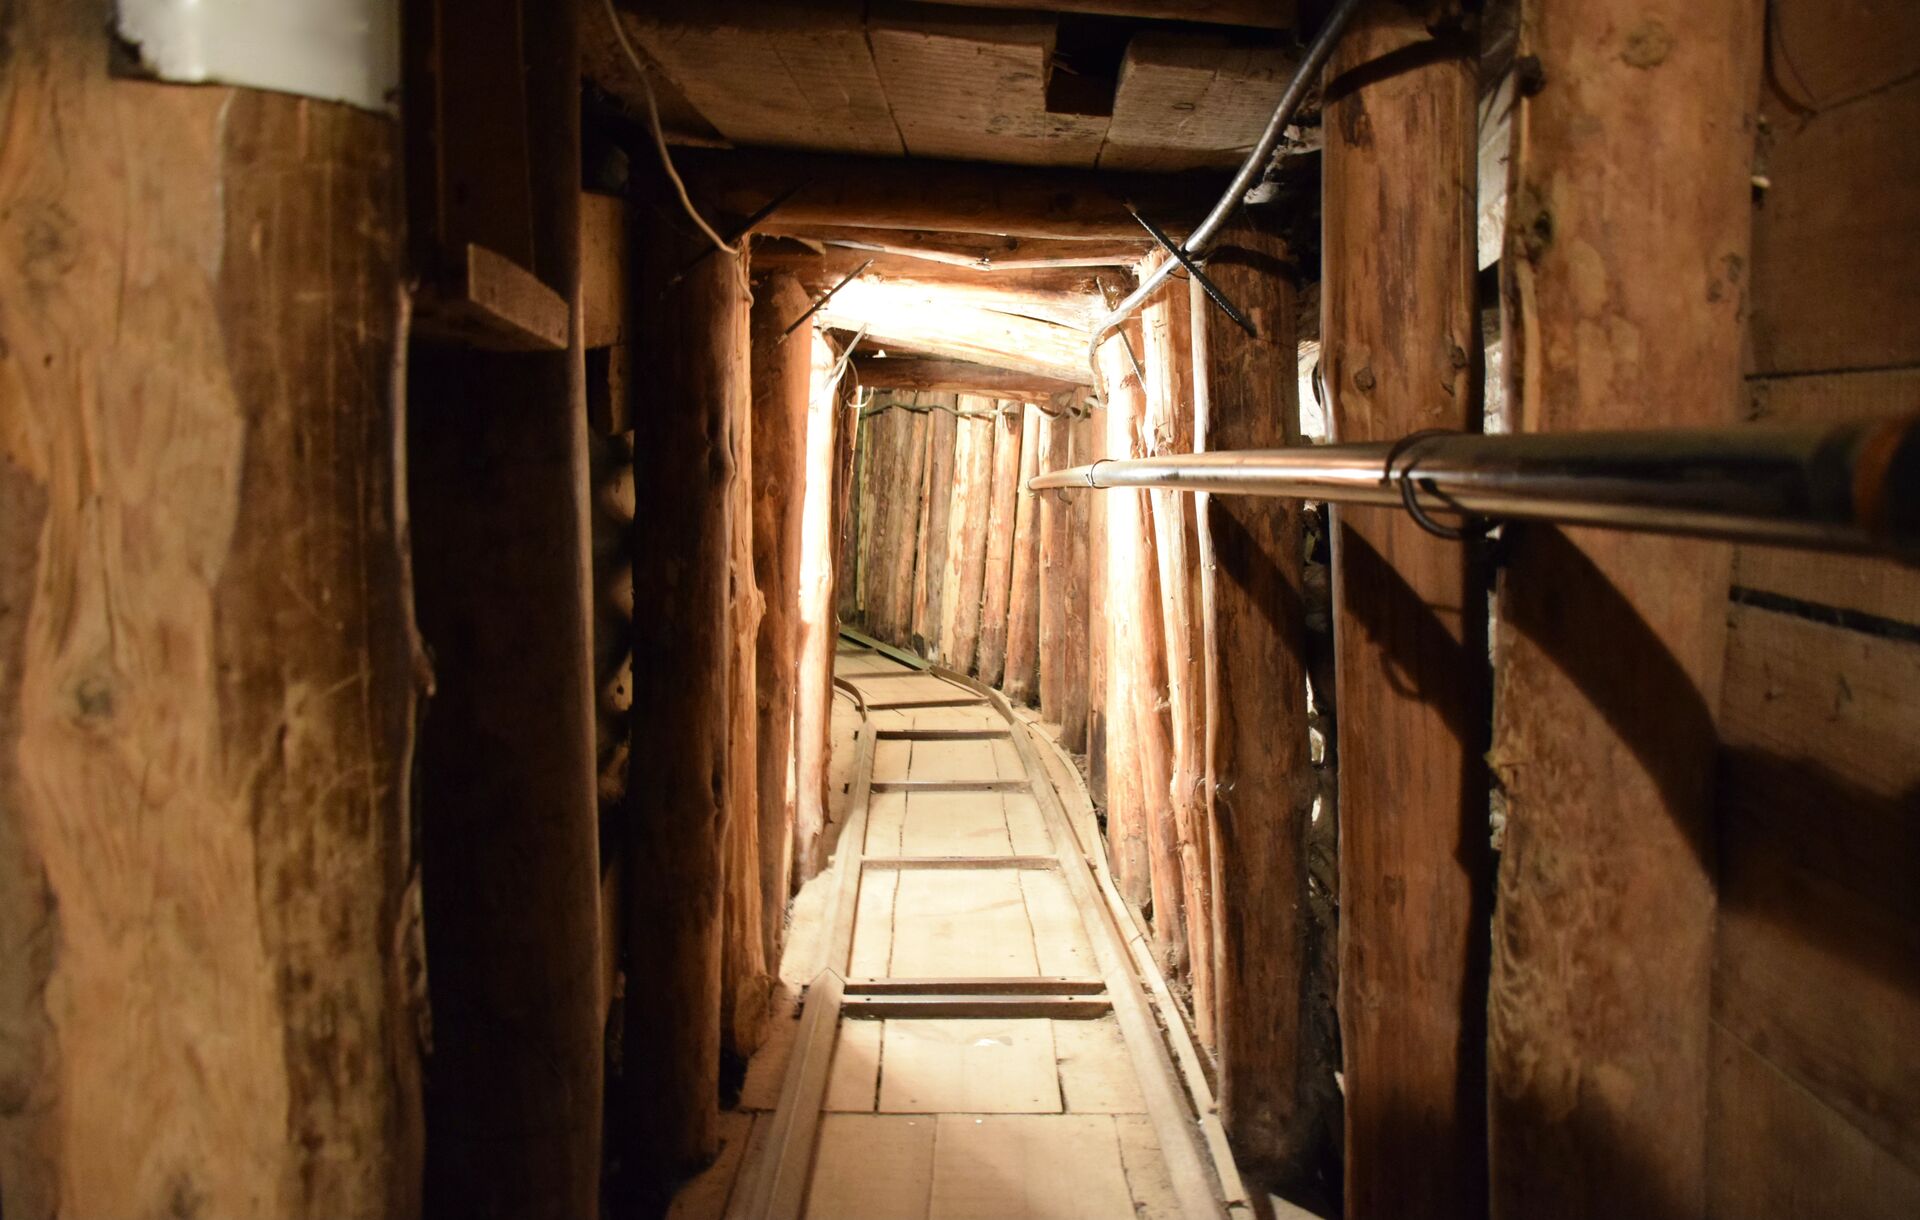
(508, 802)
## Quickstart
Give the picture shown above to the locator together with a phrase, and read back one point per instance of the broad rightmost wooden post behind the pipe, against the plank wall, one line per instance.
(1623, 312)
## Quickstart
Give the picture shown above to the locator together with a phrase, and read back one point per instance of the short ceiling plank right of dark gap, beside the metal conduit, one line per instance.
(1193, 101)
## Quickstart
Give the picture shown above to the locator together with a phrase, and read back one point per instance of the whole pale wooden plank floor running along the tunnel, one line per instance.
(1020, 1098)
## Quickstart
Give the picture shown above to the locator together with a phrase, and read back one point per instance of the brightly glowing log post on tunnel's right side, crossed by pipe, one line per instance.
(1126, 572)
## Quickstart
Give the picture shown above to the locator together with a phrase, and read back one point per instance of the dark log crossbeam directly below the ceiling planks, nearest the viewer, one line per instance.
(961, 197)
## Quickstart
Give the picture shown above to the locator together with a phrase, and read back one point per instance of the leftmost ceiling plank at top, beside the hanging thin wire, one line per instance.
(777, 76)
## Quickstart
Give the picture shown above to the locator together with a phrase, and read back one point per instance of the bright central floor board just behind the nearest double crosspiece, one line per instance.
(953, 923)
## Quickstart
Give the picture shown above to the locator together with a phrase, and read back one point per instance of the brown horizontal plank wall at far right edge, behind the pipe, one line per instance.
(1813, 1092)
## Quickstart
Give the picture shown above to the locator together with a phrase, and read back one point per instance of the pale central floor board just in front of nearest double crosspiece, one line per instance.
(971, 1067)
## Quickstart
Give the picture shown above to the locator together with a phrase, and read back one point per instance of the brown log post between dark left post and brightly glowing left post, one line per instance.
(782, 381)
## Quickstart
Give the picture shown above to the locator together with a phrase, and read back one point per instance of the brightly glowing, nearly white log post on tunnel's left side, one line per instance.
(813, 718)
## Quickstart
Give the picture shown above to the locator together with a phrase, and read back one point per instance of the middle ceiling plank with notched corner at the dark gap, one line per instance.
(972, 85)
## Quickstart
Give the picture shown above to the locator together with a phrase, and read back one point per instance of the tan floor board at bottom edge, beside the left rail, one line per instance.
(873, 1165)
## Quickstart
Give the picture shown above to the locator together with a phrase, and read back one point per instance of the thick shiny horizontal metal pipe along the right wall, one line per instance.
(1850, 487)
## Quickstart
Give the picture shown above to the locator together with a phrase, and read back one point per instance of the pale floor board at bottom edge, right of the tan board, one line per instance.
(1051, 1167)
